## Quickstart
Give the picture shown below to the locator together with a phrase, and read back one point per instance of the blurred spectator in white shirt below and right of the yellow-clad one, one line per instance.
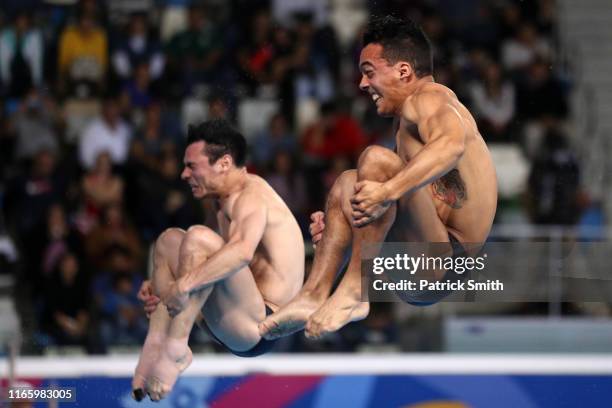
(106, 134)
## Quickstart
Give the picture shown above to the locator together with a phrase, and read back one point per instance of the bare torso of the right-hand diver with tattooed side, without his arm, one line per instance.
(466, 197)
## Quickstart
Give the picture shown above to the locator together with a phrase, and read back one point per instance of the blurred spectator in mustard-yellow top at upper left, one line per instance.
(83, 58)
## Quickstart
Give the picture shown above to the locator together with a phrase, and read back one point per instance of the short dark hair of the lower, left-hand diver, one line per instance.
(221, 138)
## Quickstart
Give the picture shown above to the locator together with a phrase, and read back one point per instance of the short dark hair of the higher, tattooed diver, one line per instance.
(402, 40)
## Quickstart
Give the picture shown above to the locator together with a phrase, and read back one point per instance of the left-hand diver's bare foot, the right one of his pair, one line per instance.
(174, 358)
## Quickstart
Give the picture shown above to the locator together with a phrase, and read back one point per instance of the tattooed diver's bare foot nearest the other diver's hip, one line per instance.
(290, 318)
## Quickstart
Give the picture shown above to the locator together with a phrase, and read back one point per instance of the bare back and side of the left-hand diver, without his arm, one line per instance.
(278, 264)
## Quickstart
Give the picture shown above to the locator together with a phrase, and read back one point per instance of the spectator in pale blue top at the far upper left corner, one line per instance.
(21, 56)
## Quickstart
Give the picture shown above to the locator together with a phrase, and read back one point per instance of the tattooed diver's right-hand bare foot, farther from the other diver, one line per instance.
(340, 309)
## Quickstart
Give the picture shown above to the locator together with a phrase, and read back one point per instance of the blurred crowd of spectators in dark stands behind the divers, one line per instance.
(96, 96)
